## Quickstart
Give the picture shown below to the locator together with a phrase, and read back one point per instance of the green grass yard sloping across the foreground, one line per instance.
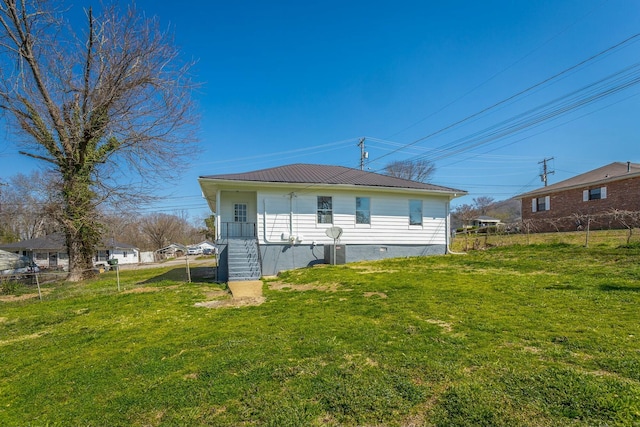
(533, 335)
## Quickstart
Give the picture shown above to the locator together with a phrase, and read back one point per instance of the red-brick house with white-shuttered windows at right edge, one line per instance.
(591, 197)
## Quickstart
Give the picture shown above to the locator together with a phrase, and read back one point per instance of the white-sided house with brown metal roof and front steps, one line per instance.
(282, 215)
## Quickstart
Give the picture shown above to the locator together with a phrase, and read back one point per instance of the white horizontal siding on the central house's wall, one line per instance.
(389, 218)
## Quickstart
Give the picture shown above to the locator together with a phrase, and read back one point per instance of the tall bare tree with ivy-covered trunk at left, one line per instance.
(95, 106)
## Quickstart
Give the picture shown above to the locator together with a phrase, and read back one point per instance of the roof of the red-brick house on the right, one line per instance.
(612, 172)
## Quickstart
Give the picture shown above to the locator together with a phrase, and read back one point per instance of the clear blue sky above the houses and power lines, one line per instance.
(302, 82)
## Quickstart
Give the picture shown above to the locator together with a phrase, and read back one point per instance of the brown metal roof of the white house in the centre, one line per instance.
(302, 173)
